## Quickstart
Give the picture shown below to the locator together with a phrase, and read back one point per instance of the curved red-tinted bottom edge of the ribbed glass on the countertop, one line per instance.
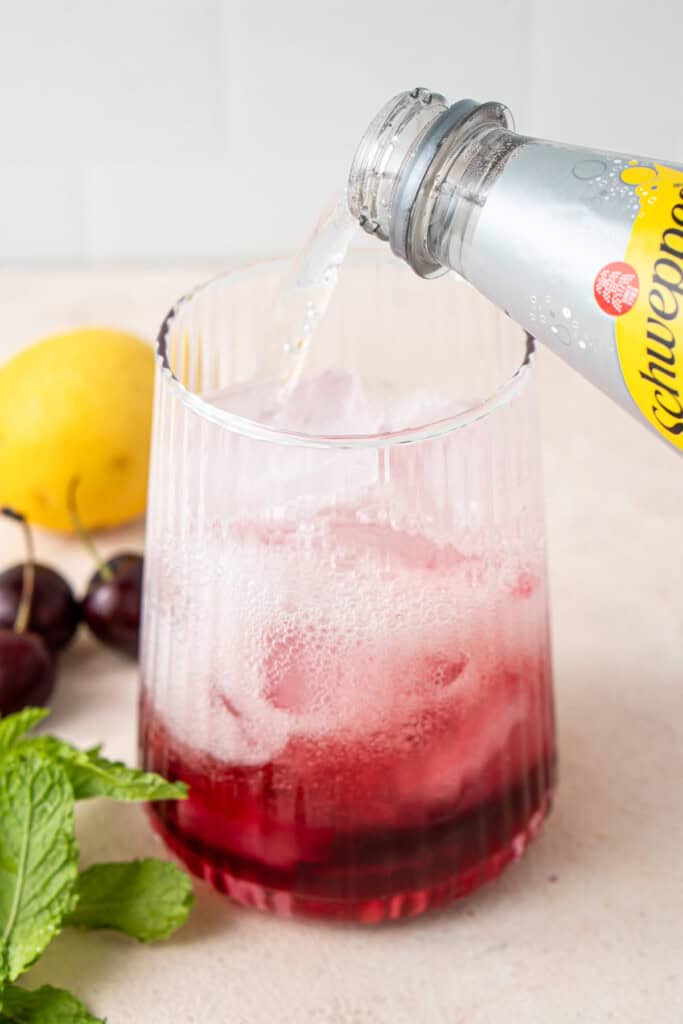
(369, 912)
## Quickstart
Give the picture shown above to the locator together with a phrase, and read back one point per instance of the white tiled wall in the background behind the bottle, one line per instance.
(159, 133)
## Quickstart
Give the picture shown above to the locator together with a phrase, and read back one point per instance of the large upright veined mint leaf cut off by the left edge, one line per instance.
(38, 857)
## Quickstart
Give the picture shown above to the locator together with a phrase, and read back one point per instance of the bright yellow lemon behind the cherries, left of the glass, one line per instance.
(77, 405)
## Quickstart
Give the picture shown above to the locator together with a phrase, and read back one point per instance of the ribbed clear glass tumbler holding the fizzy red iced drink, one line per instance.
(346, 641)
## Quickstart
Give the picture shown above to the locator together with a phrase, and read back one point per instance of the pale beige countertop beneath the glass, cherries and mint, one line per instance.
(589, 927)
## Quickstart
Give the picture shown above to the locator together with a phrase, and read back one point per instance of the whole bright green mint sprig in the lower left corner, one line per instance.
(41, 889)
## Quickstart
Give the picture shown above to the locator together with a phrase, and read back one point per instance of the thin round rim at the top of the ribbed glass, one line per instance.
(500, 397)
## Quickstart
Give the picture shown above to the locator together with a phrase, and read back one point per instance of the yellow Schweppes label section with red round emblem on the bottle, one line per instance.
(646, 295)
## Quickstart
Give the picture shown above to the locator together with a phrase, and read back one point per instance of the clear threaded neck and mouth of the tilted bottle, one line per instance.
(422, 173)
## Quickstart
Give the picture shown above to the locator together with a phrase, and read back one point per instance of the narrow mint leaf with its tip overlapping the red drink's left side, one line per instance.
(93, 776)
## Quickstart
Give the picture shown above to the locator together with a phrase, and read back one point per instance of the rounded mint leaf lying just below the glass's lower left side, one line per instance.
(147, 900)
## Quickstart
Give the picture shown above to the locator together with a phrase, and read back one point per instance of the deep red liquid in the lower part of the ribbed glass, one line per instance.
(386, 816)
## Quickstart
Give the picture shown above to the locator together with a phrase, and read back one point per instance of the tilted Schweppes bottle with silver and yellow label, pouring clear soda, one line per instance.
(583, 248)
